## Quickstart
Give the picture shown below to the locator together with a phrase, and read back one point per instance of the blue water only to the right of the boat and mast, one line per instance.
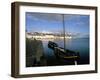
(80, 45)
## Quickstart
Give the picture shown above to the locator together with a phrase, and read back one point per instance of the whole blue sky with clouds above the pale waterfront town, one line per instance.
(50, 22)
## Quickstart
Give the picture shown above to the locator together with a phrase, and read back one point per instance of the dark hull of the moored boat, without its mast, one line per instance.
(63, 54)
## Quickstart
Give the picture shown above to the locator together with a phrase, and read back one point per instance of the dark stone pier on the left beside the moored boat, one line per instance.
(34, 53)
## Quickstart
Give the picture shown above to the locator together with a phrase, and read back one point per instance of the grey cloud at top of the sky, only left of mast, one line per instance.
(45, 16)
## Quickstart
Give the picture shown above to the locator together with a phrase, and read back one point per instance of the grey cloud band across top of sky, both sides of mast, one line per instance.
(53, 17)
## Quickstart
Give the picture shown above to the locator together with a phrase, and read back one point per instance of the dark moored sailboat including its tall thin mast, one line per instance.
(64, 54)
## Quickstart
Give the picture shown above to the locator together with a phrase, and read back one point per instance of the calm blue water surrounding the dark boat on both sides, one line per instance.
(80, 45)
